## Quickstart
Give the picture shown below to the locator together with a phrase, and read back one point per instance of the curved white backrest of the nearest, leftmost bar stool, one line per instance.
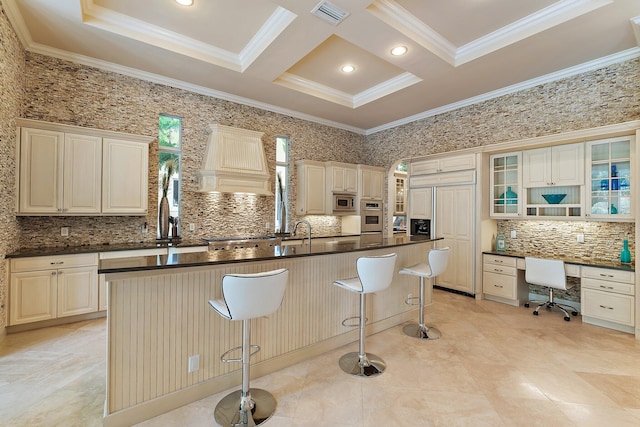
(248, 296)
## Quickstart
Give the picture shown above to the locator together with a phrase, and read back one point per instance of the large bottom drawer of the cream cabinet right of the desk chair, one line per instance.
(608, 306)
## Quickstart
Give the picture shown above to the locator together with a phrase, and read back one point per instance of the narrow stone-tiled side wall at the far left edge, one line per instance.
(12, 71)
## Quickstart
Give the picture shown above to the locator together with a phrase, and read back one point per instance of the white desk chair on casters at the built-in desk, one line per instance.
(551, 274)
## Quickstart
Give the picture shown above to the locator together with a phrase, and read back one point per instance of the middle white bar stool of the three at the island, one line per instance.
(375, 273)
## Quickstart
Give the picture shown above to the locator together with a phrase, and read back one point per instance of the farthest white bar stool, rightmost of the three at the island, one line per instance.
(437, 264)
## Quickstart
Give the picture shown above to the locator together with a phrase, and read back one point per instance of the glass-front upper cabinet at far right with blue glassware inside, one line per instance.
(610, 178)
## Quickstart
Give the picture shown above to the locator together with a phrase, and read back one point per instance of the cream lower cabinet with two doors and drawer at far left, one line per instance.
(45, 288)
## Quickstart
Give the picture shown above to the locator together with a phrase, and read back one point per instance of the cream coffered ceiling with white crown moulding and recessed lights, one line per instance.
(287, 55)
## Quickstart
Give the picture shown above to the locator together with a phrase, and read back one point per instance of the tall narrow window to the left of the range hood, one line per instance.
(170, 154)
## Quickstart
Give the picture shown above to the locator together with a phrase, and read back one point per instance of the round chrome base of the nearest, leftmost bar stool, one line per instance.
(229, 412)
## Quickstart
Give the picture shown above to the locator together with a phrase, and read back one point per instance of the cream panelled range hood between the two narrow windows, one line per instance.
(234, 162)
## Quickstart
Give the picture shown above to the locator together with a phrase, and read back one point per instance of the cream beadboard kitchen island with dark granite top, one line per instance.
(159, 318)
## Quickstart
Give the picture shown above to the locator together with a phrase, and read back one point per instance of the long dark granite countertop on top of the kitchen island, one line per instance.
(196, 259)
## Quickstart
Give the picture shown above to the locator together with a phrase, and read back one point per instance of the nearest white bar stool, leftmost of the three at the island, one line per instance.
(244, 297)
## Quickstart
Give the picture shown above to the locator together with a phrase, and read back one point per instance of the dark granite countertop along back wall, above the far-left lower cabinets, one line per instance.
(107, 247)
